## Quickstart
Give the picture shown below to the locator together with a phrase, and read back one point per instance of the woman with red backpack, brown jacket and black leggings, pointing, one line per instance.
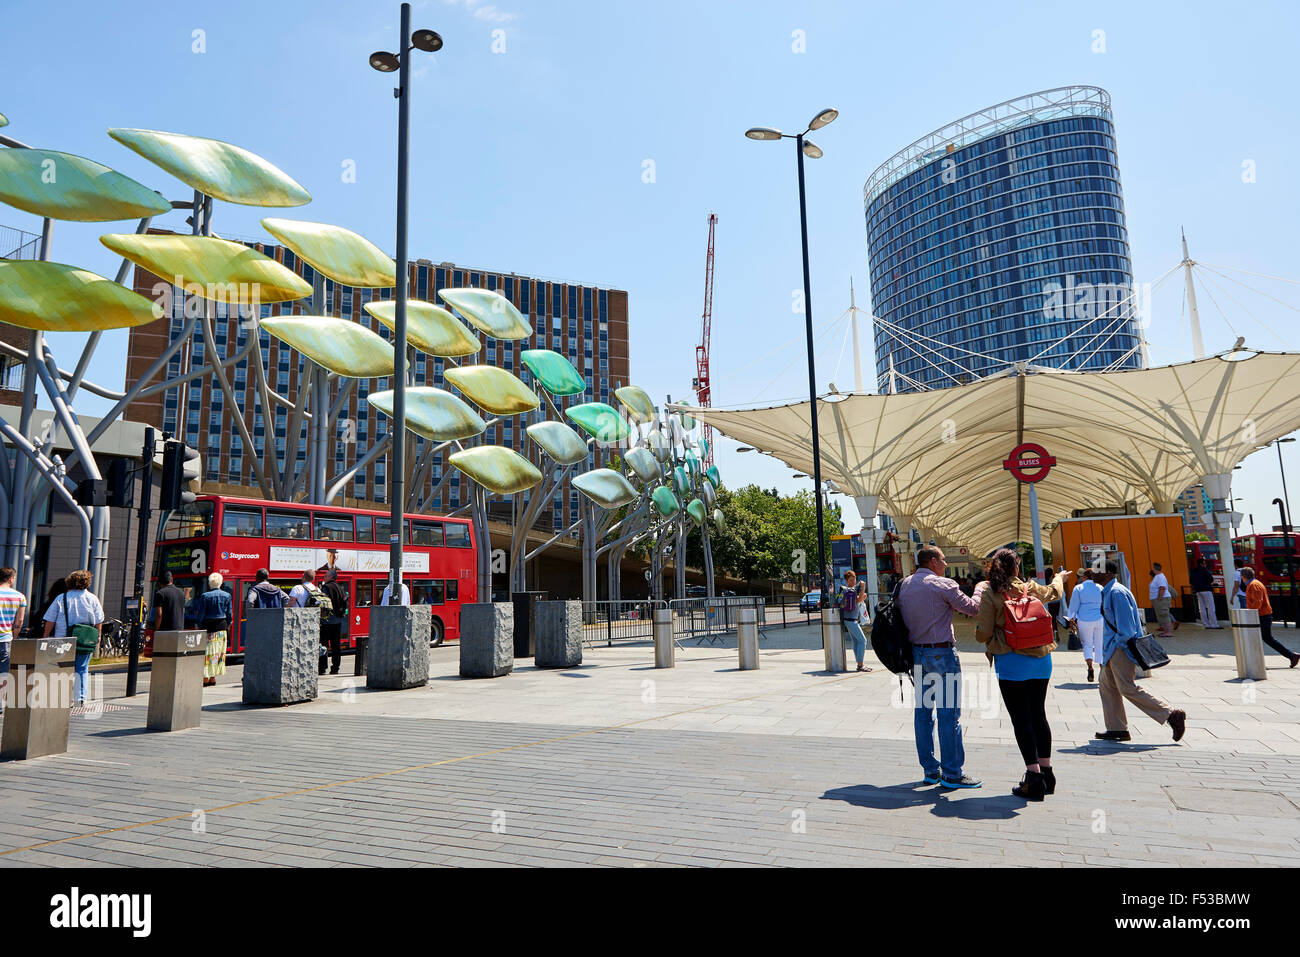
(1020, 639)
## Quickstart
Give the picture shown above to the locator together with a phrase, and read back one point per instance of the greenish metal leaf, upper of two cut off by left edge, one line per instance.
(64, 187)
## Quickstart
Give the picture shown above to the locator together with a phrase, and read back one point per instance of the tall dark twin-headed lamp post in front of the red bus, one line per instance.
(387, 63)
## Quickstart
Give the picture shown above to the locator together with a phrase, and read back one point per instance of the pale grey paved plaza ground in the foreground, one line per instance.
(618, 764)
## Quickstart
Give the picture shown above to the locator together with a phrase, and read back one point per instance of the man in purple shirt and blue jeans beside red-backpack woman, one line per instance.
(928, 601)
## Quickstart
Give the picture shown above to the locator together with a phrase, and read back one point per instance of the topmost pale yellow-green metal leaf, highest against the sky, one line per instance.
(215, 168)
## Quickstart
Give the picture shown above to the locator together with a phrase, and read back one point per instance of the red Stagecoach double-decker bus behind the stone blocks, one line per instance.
(239, 536)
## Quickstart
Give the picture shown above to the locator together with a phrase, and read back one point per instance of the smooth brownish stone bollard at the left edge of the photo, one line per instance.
(41, 695)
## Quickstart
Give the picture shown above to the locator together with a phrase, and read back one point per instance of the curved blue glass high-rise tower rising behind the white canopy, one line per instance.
(1004, 245)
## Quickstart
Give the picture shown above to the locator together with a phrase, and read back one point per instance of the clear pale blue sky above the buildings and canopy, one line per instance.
(534, 159)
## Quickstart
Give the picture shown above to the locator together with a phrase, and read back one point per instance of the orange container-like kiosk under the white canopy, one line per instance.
(1142, 539)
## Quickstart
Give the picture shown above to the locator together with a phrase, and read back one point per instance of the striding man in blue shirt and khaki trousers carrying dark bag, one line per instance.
(1121, 622)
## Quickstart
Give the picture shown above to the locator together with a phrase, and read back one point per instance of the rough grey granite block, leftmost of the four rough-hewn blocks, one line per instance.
(281, 656)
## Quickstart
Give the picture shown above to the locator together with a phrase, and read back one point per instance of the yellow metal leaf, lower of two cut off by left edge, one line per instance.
(60, 298)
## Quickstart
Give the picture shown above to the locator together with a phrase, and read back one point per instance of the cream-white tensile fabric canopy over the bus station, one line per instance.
(934, 460)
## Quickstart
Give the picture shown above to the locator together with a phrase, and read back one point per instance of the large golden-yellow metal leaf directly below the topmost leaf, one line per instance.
(222, 271)
